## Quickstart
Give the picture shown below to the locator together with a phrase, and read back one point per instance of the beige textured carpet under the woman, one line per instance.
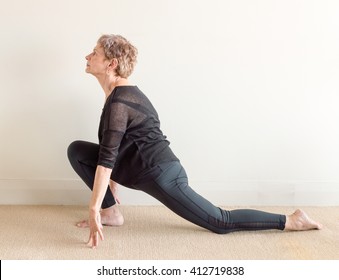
(153, 232)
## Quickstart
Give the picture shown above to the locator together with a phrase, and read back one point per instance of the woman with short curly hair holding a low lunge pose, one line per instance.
(133, 152)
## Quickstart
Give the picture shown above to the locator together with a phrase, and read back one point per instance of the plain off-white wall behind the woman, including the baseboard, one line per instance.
(247, 92)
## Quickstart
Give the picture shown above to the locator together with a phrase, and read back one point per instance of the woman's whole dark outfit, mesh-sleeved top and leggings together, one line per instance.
(132, 144)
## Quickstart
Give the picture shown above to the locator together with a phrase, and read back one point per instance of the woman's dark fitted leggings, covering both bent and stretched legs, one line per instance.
(168, 183)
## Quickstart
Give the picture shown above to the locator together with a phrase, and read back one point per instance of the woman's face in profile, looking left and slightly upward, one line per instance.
(96, 61)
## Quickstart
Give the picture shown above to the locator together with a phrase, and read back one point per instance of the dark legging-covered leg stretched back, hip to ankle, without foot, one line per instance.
(172, 189)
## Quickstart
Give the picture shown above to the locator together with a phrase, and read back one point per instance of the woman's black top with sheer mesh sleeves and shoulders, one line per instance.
(130, 138)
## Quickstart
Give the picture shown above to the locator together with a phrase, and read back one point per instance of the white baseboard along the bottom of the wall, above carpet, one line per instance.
(73, 192)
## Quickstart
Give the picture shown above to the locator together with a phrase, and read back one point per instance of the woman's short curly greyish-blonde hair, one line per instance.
(116, 46)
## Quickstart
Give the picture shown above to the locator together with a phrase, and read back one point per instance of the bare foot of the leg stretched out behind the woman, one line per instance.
(300, 221)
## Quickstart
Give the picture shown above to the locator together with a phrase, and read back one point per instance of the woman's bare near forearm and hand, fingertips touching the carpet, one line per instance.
(101, 181)
